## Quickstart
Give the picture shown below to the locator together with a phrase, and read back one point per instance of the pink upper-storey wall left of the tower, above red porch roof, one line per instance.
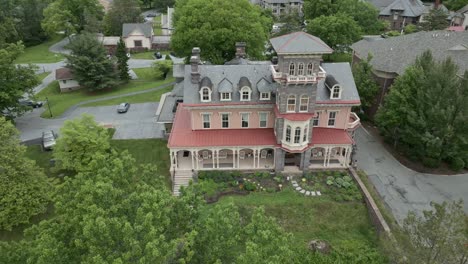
(234, 118)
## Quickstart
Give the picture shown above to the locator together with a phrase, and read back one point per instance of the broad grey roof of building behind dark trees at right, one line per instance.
(396, 53)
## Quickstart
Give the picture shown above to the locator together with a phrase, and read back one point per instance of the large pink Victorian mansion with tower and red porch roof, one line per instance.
(253, 115)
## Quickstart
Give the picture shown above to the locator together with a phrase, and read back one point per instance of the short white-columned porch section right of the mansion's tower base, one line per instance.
(330, 157)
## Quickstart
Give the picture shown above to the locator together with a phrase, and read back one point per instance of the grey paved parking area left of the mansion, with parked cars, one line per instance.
(138, 122)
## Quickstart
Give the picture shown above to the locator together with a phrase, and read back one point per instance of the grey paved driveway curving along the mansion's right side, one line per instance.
(403, 189)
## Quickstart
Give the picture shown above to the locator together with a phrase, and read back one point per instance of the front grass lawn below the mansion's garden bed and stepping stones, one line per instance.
(310, 218)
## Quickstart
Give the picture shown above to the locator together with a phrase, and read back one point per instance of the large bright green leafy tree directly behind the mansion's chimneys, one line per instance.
(215, 26)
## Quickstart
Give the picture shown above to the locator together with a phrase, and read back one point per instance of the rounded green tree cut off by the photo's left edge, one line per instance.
(25, 190)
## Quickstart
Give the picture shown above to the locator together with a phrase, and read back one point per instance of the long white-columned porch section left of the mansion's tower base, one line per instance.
(228, 158)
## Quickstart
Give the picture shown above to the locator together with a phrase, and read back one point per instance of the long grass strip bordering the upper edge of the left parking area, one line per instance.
(60, 102)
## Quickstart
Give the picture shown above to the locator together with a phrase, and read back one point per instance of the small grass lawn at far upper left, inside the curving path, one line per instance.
(40, 53)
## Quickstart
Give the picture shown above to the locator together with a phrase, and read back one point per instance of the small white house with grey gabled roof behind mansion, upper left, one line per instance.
(137, 36)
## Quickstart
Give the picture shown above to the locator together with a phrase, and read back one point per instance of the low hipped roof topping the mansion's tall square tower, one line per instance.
(300, 43)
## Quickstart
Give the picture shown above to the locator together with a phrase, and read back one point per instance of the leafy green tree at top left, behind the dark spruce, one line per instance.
(70, 16)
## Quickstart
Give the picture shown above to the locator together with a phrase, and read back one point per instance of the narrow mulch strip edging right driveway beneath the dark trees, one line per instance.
(444, 169)
